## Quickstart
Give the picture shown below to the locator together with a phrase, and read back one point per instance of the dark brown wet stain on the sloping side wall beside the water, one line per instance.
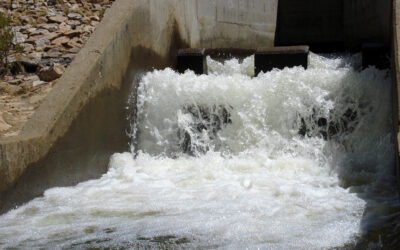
(83, 152)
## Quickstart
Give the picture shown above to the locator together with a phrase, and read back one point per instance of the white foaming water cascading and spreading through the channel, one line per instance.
(290, 159)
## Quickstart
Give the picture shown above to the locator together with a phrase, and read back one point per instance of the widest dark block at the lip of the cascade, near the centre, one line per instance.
(266, 59)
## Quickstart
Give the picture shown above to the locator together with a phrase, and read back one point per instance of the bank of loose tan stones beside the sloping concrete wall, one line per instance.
(48, 34)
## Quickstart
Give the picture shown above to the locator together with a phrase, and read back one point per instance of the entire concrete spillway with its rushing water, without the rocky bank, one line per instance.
(135, 148)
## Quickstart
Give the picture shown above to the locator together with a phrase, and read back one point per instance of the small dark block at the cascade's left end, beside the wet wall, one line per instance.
(193, 59)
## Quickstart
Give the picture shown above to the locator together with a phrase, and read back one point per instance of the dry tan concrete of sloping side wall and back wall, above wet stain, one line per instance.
(159, 26)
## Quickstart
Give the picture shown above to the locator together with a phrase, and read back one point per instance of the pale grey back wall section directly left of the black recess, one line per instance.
(250, 22)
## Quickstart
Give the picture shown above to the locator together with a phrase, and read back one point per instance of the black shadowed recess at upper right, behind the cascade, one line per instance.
(333, 23)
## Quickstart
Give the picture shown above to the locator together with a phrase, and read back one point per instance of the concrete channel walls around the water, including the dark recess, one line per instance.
(81, 122)
